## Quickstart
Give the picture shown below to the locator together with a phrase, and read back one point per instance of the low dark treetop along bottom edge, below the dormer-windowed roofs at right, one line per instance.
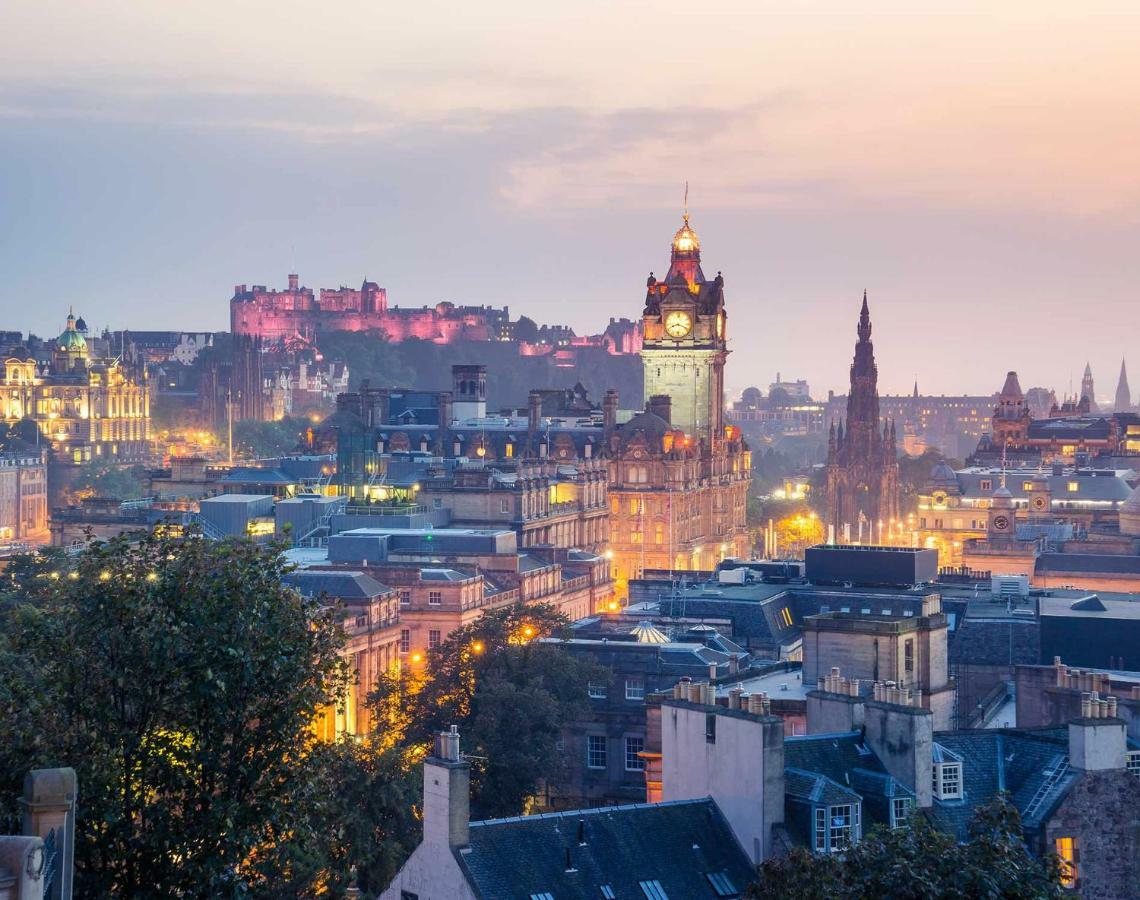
(919, 862)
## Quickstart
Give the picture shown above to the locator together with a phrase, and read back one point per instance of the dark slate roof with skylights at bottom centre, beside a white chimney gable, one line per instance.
(678, 845)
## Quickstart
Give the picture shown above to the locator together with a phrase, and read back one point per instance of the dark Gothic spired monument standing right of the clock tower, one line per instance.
(864, 459)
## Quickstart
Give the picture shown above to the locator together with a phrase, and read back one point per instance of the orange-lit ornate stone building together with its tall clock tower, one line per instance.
(679, 476)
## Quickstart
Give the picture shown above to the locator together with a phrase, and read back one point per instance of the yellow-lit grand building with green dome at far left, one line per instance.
(87, 409)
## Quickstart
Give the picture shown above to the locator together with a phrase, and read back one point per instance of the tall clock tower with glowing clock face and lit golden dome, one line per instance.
(685, 346)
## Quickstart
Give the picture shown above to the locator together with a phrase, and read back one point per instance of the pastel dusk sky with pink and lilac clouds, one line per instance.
(972, 165)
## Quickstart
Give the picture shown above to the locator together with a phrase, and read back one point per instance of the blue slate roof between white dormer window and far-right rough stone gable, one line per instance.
(1019, 761)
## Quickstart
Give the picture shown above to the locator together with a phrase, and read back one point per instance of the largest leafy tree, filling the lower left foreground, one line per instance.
(181, 679)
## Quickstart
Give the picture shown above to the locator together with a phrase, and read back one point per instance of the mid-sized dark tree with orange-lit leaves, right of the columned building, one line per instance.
(509, 693)
